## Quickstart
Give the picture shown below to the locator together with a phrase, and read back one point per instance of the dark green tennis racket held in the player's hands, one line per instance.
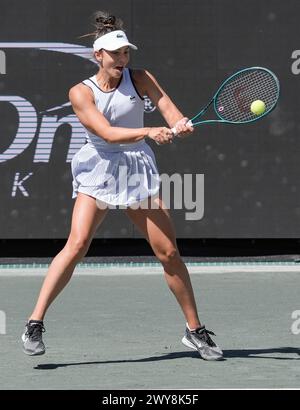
(233, 100)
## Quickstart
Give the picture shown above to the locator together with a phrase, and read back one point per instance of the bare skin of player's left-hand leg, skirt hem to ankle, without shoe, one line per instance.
(85, 220)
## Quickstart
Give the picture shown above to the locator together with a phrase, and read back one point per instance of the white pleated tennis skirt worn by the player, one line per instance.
(116, 175)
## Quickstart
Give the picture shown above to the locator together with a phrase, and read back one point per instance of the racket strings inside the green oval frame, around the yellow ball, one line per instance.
(233, 103)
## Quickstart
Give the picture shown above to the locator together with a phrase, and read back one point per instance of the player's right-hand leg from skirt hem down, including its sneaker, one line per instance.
(158, 229)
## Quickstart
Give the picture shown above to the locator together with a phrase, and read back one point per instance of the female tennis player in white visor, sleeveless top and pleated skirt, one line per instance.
(110, 106)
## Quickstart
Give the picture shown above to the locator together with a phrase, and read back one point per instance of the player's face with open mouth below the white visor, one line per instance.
(114, 62)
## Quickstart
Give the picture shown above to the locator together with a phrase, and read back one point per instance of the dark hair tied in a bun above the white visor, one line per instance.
(104, 23)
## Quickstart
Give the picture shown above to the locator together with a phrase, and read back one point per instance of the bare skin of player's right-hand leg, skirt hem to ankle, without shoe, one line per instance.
(157, 227)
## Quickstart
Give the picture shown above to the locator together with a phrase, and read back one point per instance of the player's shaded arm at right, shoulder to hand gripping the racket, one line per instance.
(148, 85)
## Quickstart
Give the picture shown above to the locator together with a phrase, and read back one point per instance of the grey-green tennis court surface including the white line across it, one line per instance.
(118, 327)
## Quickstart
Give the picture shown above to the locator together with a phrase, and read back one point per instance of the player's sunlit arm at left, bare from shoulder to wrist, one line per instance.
(83, 104)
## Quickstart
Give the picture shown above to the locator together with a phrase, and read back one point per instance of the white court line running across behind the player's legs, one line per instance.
(157, 270)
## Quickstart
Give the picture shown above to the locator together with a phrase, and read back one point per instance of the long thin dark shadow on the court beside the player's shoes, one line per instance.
(228, 354)
